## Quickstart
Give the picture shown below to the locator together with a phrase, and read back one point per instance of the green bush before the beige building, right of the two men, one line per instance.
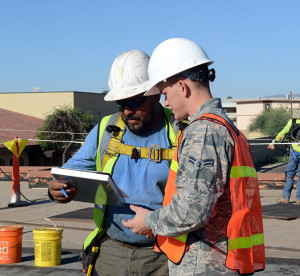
(271, 121)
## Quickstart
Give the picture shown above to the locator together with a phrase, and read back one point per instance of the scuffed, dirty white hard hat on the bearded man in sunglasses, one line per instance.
(128, 76)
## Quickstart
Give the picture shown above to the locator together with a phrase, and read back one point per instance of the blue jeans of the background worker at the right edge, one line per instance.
(291, 170)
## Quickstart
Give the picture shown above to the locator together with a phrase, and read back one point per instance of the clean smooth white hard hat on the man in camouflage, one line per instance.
(171, 57)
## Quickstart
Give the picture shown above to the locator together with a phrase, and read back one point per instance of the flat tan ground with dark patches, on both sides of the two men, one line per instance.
(282, 237)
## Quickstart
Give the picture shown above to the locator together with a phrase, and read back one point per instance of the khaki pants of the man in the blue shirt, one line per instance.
(115, 259)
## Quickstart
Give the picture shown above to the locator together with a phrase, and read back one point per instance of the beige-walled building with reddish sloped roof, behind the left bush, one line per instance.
(23, 113)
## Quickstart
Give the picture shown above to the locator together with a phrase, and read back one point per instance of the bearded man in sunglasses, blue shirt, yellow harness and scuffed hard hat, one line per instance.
(135, 146)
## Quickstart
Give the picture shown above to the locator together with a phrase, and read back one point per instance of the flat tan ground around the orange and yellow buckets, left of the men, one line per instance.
(38, 213)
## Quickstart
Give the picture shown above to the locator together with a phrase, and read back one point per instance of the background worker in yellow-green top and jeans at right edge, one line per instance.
(292, 129)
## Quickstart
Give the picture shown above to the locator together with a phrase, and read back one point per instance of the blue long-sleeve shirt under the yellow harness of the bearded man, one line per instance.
(143, 181)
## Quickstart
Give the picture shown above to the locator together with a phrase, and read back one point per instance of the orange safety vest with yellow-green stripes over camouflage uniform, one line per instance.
(245, 238)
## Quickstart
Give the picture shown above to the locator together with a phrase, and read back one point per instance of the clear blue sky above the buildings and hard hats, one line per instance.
(70, 45)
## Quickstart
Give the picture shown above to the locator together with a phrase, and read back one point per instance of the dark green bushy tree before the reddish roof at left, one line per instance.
(67, 121)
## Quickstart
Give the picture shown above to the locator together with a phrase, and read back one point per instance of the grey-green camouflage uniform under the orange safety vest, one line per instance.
(201, 206)
